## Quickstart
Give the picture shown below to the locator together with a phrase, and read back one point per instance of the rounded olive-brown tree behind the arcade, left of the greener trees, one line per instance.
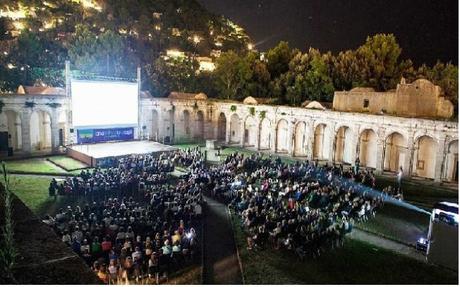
(232, 74)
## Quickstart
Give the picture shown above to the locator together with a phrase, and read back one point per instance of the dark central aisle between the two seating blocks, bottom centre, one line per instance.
(221, 265)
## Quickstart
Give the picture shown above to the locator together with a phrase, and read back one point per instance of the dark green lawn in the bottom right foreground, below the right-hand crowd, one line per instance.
(356, 263)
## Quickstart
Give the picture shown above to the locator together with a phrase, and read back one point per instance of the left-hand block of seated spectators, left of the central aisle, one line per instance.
(141, 227)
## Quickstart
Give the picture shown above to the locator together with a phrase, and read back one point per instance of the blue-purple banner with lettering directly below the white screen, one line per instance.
(104, 135)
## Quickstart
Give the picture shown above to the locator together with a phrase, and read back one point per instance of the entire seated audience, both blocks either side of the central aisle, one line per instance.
(139, 224)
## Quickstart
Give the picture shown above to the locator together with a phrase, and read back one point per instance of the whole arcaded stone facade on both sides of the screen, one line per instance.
(422, 147)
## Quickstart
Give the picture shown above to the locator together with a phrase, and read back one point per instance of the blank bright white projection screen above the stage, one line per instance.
(102, 104)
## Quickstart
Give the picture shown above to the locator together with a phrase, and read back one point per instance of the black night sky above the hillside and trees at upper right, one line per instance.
(426, 30)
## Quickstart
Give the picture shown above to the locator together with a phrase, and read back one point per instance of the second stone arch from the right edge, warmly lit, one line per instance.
(424, 157)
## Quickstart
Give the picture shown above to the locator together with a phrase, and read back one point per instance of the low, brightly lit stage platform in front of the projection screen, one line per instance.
(94, 154)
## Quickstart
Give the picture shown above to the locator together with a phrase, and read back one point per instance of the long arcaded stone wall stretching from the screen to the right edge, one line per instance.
(382, 142)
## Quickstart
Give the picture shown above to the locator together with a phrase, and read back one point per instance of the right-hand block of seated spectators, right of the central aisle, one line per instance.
(300, 207)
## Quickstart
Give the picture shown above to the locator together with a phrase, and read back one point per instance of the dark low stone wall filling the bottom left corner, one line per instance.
(42, 257)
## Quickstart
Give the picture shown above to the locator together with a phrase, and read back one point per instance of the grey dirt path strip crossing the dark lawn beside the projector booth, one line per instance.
(387, 244)
